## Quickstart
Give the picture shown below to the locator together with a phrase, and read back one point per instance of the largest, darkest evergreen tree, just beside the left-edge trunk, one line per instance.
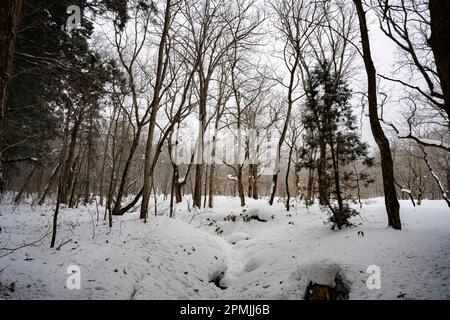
(45, 57)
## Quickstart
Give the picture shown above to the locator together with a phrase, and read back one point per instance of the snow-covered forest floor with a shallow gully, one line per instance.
(259, 252)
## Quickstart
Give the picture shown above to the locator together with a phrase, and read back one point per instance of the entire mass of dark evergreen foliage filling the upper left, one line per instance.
(54, 71)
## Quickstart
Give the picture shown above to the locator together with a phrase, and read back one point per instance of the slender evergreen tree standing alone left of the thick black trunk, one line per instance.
(331, 126)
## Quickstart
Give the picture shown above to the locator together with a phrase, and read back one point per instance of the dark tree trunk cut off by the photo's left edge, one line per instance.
(10, 16)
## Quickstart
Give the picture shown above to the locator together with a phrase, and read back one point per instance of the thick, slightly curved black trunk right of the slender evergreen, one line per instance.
(387, 165)
